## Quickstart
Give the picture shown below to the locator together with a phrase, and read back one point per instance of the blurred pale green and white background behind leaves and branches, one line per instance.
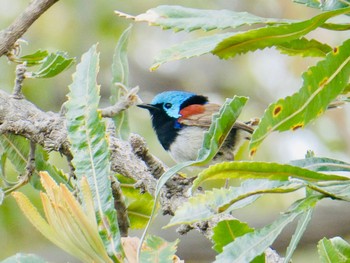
(263, 76)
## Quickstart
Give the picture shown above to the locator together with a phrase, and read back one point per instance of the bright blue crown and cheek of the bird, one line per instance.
(172, 101)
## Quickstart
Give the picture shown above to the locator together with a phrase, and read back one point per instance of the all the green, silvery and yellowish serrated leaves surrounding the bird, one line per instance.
(88, 228)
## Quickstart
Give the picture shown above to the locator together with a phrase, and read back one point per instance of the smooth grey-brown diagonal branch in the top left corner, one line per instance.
(10, 35)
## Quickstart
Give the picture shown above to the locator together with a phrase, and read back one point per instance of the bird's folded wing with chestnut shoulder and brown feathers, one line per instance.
(201, 116)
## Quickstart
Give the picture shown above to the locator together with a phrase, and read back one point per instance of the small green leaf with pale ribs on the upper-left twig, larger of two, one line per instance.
(53, 65)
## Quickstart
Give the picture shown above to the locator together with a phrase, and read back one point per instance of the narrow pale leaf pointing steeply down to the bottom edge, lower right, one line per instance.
(301, 227)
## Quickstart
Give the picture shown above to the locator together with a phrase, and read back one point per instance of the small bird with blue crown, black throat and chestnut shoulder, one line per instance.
(180, 118)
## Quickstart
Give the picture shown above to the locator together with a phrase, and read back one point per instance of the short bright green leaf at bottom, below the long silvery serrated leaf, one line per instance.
(228, 230)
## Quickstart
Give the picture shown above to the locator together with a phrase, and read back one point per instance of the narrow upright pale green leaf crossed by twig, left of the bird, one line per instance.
(120, 73)
